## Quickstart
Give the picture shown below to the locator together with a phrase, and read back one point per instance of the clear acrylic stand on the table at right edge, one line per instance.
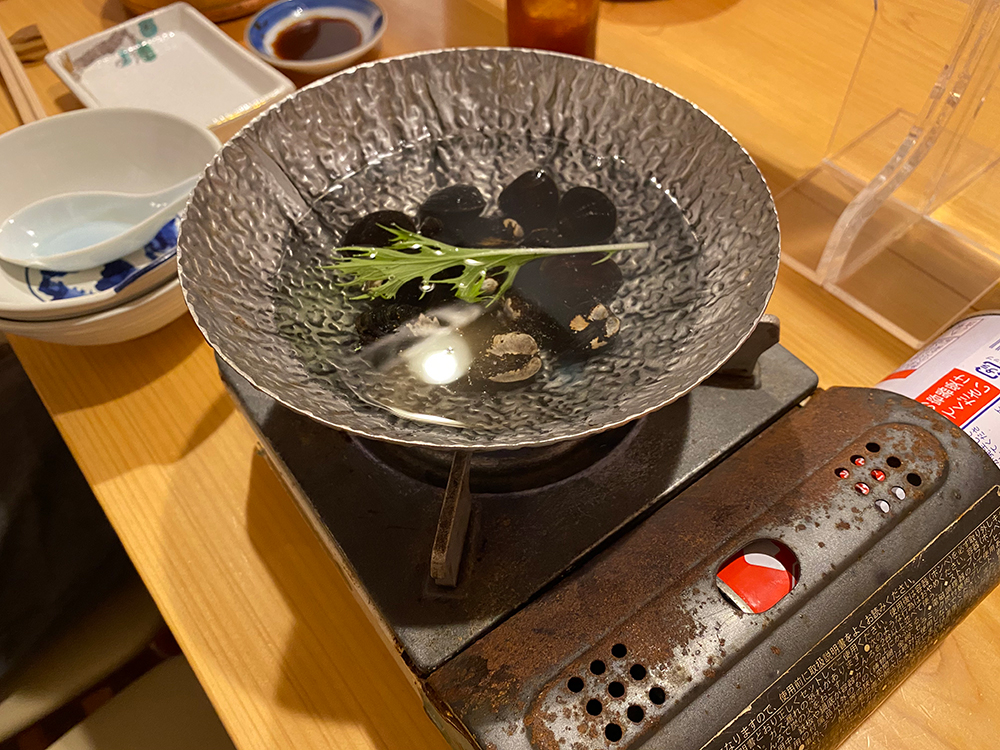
(901, 220)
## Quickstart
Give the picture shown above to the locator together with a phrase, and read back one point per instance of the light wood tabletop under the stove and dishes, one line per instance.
(269, 625)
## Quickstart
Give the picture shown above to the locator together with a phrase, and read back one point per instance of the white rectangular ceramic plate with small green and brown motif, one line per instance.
(173, 60)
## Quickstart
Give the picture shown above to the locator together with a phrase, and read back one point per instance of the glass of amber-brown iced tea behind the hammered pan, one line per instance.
(568, 26)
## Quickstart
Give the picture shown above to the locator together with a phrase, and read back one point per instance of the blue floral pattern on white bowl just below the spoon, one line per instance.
(55, 285)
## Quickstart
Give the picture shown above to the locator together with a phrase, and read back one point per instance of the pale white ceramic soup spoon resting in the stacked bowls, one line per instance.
(76, 231)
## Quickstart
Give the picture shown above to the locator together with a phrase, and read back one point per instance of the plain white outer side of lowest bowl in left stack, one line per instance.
(124, 323)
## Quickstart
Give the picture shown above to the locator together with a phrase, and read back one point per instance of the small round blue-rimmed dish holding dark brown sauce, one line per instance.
(315, 37)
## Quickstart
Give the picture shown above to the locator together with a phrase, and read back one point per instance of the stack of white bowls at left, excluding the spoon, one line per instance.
(106, 150)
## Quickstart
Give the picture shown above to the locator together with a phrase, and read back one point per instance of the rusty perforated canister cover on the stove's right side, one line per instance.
(641, 639)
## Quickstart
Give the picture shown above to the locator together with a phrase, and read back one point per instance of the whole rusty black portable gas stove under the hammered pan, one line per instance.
(577, 596)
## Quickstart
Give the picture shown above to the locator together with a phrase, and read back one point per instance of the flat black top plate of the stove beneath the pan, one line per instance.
(519, 543)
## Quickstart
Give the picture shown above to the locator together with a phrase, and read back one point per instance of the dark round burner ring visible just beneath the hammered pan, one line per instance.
(502, 471)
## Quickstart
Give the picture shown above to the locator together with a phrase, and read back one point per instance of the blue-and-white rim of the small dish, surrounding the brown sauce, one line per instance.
(264, 28)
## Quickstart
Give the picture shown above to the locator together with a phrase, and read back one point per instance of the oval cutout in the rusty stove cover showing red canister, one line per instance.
(759, 575)
